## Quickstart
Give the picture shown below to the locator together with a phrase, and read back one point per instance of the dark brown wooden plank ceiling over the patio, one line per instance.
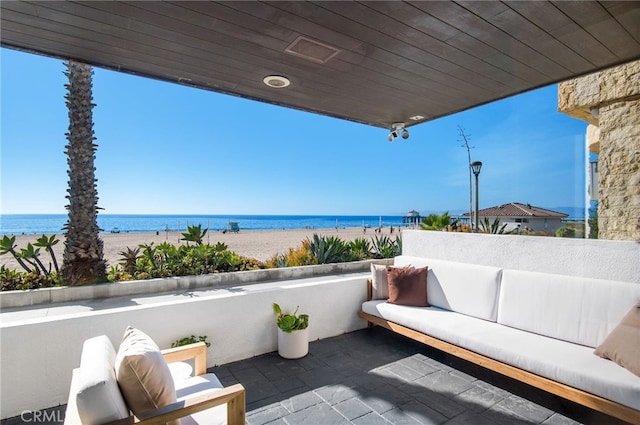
(372, 62)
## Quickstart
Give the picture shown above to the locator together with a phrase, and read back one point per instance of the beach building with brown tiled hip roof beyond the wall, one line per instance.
(523, 216)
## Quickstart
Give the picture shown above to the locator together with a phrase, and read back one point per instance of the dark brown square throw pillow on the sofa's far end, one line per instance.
(407, 286)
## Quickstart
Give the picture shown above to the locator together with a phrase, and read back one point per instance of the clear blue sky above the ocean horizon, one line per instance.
(171, 149)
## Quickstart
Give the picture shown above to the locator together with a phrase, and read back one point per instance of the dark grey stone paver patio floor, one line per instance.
(373, 377)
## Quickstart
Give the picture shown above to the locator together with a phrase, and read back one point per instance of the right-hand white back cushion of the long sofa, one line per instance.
(571, 308)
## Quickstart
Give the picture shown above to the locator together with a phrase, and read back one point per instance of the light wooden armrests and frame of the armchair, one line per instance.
(234, 395)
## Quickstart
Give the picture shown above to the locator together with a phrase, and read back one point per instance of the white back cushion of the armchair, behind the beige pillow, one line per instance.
(97, 395)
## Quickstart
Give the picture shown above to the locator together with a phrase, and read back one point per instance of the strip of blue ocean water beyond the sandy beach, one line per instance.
(15, 224)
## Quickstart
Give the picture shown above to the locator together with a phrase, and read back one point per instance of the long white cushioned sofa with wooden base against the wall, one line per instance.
(540, 328)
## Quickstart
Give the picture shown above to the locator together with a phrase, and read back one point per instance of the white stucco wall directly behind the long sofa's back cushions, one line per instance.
(601, 259)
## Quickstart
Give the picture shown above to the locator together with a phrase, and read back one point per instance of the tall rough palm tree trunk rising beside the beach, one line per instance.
(83, 259)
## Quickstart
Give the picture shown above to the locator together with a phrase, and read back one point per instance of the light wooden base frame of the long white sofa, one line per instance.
(584, 398)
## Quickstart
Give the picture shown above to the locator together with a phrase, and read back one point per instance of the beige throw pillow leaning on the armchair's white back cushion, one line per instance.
(143, 374)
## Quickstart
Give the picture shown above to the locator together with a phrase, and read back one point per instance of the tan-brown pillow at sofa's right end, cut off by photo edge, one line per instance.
(623, 343)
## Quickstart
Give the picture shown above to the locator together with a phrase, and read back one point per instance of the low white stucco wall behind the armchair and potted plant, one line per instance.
(38, 355)
